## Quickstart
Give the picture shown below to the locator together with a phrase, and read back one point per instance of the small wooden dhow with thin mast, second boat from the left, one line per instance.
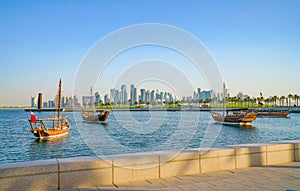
(94, 115)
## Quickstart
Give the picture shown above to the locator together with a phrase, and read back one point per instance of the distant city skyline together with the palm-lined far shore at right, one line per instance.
(135, 96)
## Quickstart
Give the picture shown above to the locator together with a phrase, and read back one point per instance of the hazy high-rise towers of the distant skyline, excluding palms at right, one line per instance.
(122, 96)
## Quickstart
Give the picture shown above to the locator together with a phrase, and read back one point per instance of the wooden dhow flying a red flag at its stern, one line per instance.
(50, 127)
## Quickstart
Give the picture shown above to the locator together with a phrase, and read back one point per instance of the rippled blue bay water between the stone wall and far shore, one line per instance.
(128, 132)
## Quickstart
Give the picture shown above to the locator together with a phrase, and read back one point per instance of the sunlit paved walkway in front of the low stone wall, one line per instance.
(283, 177)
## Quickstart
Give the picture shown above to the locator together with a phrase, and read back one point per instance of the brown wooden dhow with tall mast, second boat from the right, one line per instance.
(233, 116)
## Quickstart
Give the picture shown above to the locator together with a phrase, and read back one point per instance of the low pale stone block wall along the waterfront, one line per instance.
(90, 171)
